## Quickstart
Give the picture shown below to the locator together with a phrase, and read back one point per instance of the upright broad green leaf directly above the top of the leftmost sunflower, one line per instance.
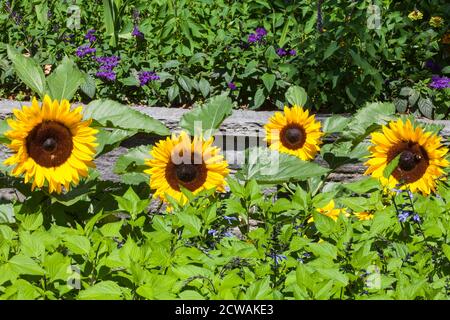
(64, 82)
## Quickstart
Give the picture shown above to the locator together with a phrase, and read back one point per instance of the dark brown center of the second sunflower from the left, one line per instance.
(189, 174)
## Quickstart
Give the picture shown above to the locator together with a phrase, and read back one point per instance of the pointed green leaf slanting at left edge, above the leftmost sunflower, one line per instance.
(28, 71)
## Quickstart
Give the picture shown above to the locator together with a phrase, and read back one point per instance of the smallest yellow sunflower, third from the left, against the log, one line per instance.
(295, 132)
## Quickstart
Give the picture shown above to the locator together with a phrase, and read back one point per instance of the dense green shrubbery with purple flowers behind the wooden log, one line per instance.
(178, 52)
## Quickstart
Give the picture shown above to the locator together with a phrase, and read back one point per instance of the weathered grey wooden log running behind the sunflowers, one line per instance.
(243, 129)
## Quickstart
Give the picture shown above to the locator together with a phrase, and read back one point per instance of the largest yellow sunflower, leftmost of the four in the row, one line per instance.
(51, 144)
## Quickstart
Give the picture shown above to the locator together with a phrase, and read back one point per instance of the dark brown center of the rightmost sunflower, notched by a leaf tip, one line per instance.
(413, 162)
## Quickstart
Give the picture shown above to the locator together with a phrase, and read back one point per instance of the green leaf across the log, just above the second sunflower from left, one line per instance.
(207, 117)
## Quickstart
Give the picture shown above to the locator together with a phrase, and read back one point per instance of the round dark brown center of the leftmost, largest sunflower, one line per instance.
(49, 144)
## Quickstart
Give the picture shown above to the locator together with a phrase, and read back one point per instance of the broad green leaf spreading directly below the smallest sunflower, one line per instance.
(271, 167)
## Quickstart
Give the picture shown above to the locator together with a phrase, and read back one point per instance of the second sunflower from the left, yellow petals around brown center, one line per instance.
(178, 161)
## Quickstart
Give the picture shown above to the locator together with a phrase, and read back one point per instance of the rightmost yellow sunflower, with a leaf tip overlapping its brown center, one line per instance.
(421, 159)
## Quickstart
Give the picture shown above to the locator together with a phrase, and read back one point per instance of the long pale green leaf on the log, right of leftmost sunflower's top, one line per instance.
(112, 114)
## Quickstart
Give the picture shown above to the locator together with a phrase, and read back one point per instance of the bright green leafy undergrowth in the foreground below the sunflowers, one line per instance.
(244, 245)
